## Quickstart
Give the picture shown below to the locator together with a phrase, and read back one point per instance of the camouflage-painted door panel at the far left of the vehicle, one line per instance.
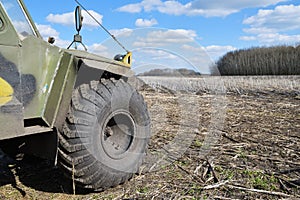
(11, 113)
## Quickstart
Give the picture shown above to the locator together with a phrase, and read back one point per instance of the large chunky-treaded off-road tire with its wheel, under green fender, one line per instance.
(104, 138)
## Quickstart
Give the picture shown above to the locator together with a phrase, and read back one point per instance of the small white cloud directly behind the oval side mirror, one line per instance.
(69, 18)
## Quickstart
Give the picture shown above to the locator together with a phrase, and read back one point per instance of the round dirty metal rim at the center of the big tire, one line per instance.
(118, 134)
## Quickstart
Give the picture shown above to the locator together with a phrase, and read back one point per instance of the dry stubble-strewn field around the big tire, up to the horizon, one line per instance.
(212, 138)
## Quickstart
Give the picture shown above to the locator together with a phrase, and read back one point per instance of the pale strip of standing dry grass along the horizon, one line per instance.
(237, 84)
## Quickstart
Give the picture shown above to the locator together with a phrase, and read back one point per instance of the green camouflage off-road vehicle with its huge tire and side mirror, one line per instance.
(71, 106)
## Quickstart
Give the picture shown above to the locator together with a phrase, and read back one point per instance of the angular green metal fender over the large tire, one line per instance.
(82, 67)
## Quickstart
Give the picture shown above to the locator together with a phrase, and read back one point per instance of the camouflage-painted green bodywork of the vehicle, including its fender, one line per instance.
(42, 76)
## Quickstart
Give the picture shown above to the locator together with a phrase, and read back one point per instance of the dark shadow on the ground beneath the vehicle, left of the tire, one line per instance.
(35, 173)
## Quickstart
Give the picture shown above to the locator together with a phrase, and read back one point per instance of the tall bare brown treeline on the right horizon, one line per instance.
(277, 60)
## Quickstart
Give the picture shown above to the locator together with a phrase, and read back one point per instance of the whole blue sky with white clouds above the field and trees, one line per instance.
(173, 33)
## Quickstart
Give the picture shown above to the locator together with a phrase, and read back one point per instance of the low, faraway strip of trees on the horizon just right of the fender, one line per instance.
(170, 72)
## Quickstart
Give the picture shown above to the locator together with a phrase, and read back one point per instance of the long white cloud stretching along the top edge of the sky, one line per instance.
(212, 8)
